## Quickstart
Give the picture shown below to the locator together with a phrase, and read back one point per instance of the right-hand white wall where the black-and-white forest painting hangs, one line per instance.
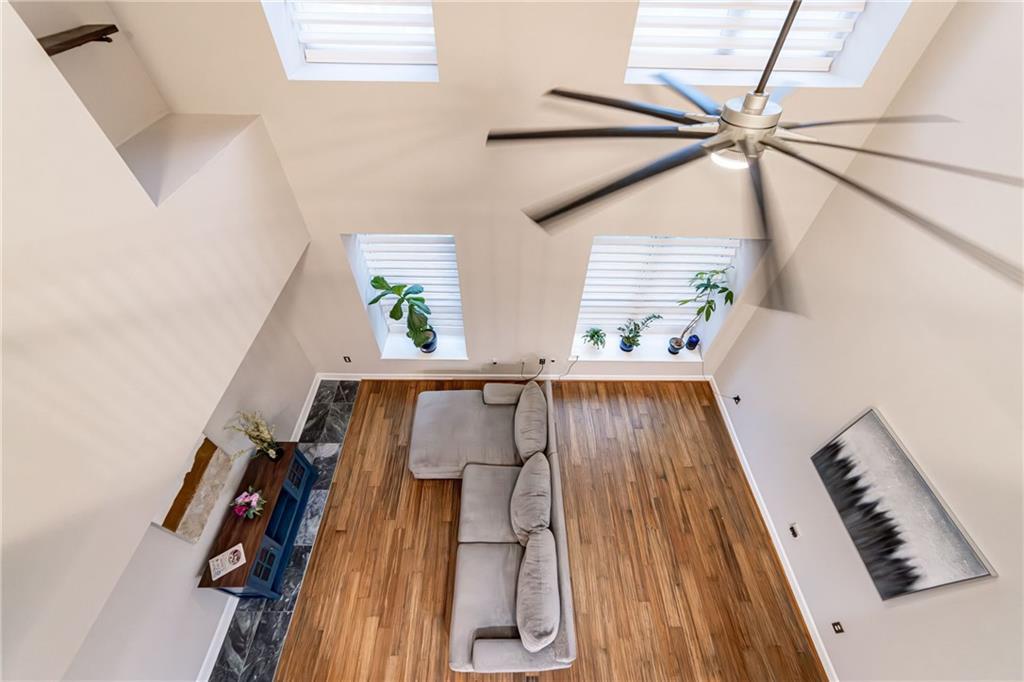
(900, 322)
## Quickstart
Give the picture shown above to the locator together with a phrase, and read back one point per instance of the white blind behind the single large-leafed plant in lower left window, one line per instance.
(424, 260)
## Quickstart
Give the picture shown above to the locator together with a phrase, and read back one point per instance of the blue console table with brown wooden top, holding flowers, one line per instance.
(269, 539)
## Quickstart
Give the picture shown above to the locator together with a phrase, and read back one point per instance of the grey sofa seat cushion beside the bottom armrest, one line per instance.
(485, 601)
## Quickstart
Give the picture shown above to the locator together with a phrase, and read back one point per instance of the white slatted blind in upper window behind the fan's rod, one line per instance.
(739, 36)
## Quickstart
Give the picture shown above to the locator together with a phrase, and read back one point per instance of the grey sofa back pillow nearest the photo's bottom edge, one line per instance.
(537, 605)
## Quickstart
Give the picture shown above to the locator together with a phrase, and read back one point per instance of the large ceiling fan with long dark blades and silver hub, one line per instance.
(746, 129)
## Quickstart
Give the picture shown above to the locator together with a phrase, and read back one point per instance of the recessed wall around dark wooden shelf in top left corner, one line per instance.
(108, 77)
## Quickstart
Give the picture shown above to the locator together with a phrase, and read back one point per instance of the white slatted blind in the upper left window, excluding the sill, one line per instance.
(365, 33)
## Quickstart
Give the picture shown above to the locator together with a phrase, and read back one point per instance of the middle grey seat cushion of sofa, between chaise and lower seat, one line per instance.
(484, 506)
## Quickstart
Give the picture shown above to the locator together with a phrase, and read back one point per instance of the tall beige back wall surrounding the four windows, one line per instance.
(411, 158)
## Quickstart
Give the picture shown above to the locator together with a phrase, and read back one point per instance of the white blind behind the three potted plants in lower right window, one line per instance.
(633, 277)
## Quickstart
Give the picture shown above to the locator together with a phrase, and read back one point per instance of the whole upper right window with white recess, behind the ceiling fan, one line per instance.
(708, 39)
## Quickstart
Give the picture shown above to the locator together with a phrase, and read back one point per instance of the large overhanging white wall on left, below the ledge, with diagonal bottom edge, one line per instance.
(123, 324)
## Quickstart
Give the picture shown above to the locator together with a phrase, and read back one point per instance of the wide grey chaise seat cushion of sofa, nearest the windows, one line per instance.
(452, 430)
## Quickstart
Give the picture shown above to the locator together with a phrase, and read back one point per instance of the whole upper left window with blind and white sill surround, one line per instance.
(374, 40)
